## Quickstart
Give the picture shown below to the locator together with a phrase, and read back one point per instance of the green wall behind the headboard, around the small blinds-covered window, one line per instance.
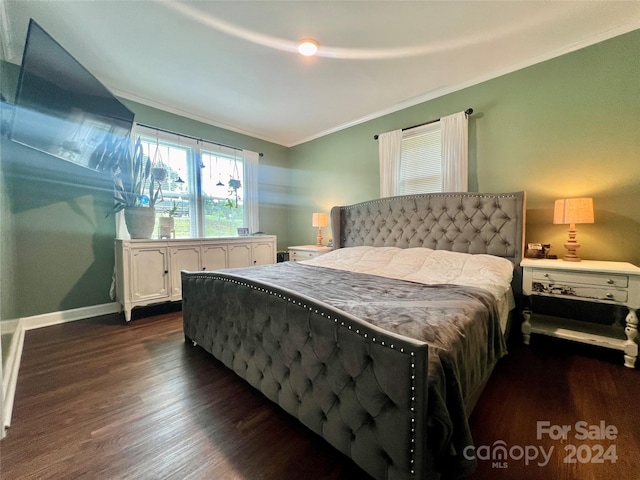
(566, 127)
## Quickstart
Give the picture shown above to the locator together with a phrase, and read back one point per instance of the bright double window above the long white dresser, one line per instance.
(204, 186)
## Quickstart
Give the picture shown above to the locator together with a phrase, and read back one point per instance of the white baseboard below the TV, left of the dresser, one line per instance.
(10, 372)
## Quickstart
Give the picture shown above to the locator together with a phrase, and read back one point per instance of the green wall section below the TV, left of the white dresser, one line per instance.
(62, 240)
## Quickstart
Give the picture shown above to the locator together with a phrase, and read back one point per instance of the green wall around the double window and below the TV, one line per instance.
(57, 244)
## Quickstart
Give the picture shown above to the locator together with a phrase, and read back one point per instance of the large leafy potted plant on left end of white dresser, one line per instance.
(133, 178)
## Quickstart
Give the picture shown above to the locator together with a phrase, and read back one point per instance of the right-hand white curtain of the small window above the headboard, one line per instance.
(455, 152)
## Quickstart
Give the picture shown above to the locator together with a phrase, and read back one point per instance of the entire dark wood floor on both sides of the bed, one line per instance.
(98, 399)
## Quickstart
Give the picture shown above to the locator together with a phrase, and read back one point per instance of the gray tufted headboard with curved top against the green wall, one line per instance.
(489, 223)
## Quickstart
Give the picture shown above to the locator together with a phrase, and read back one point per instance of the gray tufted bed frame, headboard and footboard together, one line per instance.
(363, 389)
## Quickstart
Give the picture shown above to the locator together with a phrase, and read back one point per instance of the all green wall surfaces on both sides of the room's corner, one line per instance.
(565, 127)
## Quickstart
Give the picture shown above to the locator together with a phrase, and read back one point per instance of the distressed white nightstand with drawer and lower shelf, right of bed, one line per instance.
(614, 283)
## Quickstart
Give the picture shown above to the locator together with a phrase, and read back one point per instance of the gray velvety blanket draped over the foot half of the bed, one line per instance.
(460, 324)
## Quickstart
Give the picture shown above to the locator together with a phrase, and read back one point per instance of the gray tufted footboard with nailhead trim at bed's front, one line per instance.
(364, 390)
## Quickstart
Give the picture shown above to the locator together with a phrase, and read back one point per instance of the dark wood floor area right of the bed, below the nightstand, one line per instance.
(562, 383)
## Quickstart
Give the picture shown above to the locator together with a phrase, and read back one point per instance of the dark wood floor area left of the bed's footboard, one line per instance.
(101, 399)
